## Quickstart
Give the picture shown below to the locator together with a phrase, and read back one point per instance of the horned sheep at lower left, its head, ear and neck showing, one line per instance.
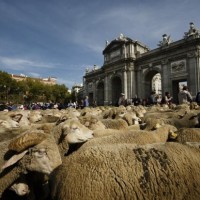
(31, 151)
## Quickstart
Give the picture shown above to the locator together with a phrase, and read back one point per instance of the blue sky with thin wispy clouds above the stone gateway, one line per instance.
(61, 38)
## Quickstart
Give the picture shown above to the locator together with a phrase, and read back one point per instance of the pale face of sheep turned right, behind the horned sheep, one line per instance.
(75, 132)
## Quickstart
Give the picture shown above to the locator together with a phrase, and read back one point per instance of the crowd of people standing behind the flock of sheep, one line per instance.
(184, 96)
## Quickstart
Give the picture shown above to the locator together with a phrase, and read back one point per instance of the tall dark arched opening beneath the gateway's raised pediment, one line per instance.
(116, 89)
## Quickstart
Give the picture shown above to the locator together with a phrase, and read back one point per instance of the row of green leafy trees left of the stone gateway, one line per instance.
(30, 90)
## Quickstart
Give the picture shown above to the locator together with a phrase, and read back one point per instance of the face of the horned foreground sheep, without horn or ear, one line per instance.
(45, 157)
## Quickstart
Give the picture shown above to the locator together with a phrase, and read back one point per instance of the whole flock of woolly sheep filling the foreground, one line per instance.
(125, 153)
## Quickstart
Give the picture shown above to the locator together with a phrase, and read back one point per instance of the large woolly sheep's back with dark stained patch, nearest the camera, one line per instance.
(127, 171)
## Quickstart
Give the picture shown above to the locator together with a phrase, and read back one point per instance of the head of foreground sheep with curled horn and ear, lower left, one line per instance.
(35, 151)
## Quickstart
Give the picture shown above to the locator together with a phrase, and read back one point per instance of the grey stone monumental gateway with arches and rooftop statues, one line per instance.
(131, 68)
